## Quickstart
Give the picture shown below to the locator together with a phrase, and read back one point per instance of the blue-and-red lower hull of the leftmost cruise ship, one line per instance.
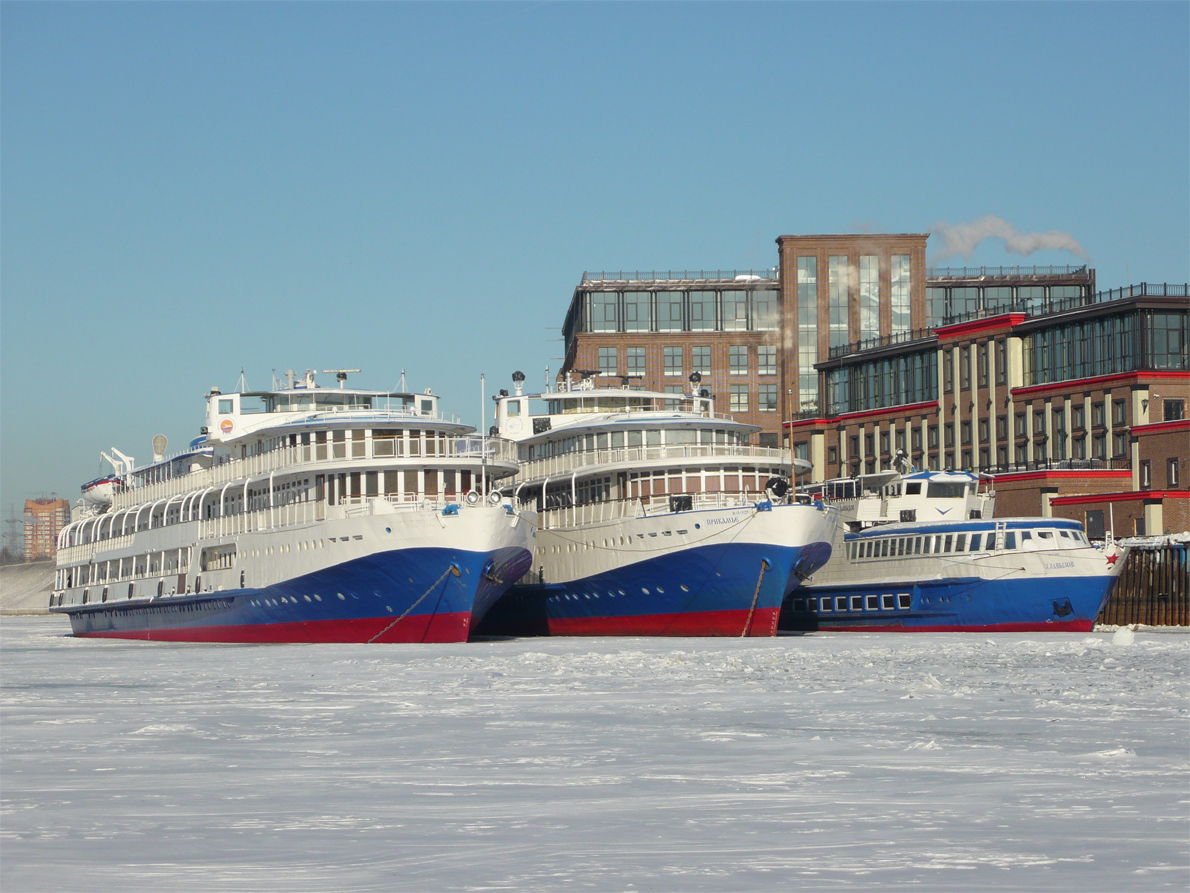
(399, 596)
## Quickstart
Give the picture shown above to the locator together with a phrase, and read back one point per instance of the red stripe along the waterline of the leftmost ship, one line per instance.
(424, 628)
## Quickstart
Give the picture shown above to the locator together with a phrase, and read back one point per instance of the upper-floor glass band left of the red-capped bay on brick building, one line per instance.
(881, 384)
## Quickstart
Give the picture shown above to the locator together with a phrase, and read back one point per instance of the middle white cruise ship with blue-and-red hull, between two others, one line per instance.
(659, 517)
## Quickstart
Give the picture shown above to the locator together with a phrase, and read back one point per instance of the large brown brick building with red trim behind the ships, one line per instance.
(851, 352)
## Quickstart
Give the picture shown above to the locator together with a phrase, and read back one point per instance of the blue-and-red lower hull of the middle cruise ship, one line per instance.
(723, 590)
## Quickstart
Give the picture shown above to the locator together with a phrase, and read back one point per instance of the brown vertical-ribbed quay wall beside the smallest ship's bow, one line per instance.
(1154, 590)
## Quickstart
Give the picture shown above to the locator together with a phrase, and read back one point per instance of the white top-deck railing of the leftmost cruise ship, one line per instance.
(300, 458)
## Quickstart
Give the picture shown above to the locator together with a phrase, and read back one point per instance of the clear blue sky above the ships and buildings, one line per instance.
(189, 190)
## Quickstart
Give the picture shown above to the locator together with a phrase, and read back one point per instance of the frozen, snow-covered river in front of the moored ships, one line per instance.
(821, 763)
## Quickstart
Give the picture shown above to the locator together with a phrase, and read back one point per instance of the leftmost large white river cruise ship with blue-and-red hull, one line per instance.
(303, 514)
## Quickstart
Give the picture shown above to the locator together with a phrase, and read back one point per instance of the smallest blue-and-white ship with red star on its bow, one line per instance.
(925, 553)
